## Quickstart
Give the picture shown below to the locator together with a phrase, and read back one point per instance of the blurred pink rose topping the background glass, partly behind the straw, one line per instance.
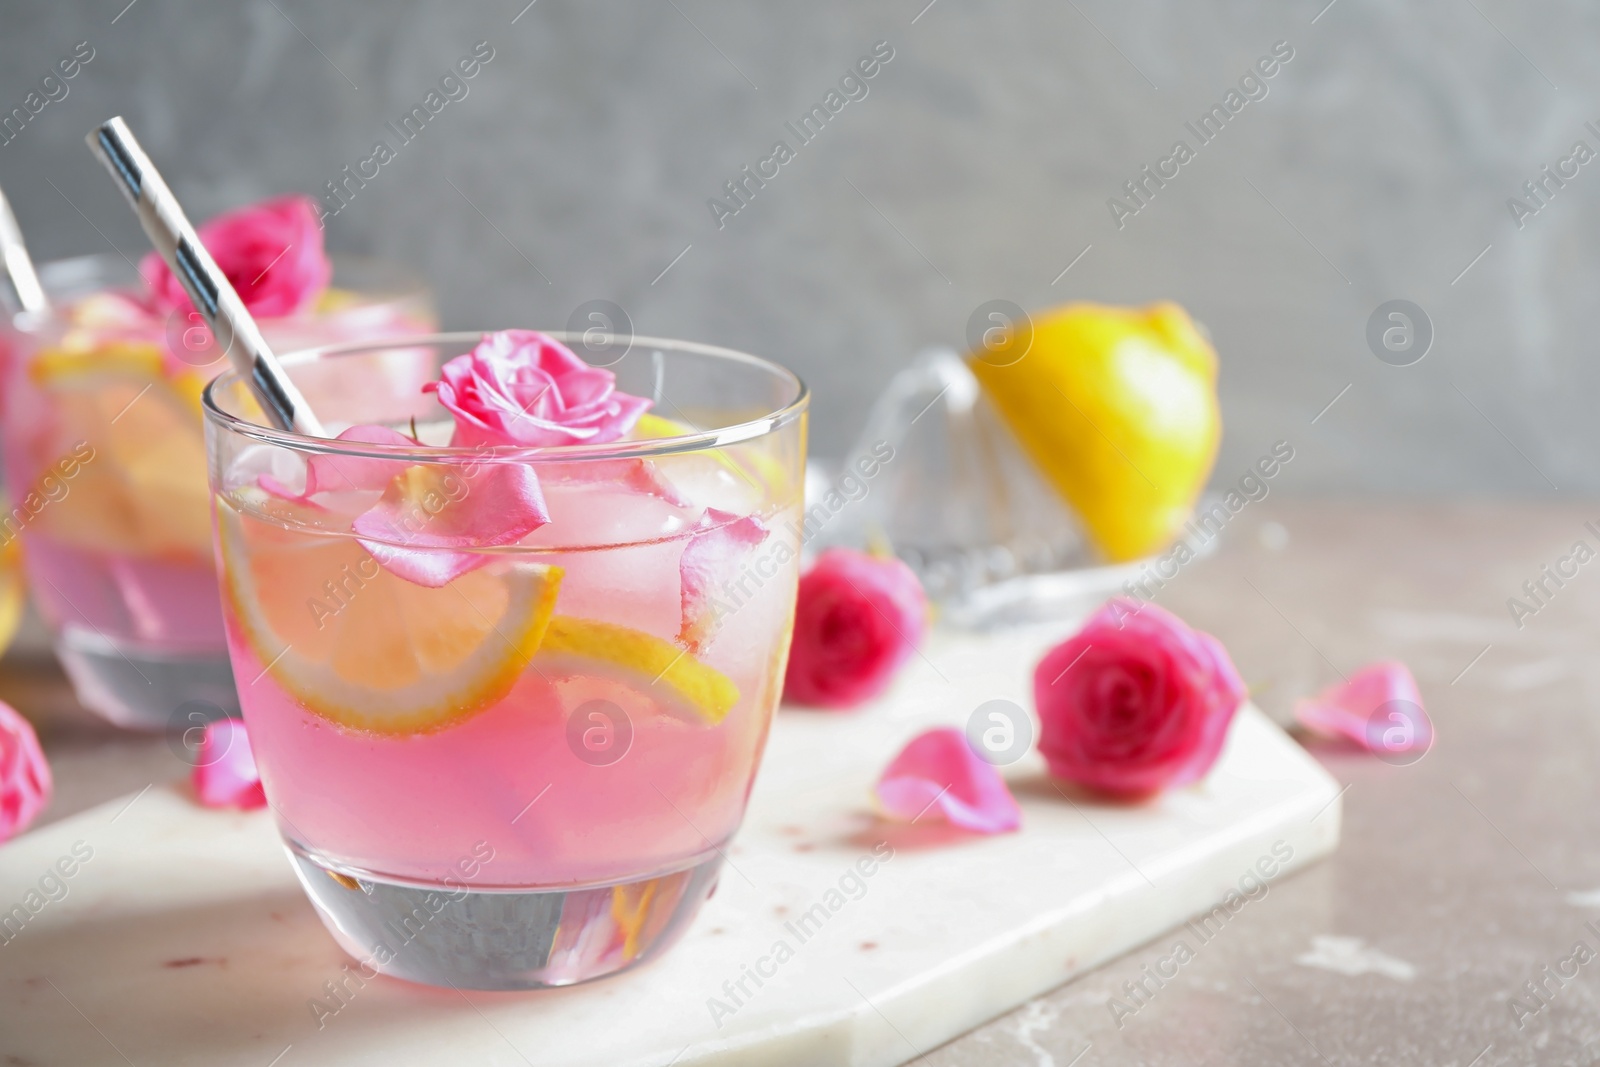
(271, 254)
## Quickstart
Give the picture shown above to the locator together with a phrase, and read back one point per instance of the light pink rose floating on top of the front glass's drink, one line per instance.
(522, 388)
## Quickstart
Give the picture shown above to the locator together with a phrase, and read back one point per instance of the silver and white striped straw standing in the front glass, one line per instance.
(214, 297)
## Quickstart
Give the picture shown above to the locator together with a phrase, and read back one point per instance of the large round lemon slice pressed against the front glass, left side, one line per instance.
(369, 650)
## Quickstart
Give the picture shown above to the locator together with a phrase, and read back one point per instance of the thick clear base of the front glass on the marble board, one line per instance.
(502, 940)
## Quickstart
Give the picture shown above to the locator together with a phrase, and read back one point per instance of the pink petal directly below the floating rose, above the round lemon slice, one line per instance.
(433, 516)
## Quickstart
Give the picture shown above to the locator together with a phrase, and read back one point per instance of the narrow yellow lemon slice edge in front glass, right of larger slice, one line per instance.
(642, 661)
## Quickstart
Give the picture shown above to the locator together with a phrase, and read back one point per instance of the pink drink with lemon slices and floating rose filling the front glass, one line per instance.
(439, 639)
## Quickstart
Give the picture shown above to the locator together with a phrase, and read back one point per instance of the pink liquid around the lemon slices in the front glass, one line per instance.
(410, 807)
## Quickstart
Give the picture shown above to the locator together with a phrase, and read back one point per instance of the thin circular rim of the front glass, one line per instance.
(700, 441)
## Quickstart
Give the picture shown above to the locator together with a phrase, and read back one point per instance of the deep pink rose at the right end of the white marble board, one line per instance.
(1135, 701)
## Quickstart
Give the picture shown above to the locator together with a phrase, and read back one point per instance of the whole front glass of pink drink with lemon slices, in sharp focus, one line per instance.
(508, 700)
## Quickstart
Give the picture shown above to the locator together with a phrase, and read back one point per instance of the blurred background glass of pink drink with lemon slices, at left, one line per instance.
(105, 463)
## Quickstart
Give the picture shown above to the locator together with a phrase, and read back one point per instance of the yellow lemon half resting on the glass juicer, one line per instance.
(1118, 407)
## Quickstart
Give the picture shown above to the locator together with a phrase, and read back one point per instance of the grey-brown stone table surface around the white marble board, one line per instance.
(1462, 877)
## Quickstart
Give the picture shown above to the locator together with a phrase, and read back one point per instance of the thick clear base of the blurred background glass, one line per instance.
(142, 689)
